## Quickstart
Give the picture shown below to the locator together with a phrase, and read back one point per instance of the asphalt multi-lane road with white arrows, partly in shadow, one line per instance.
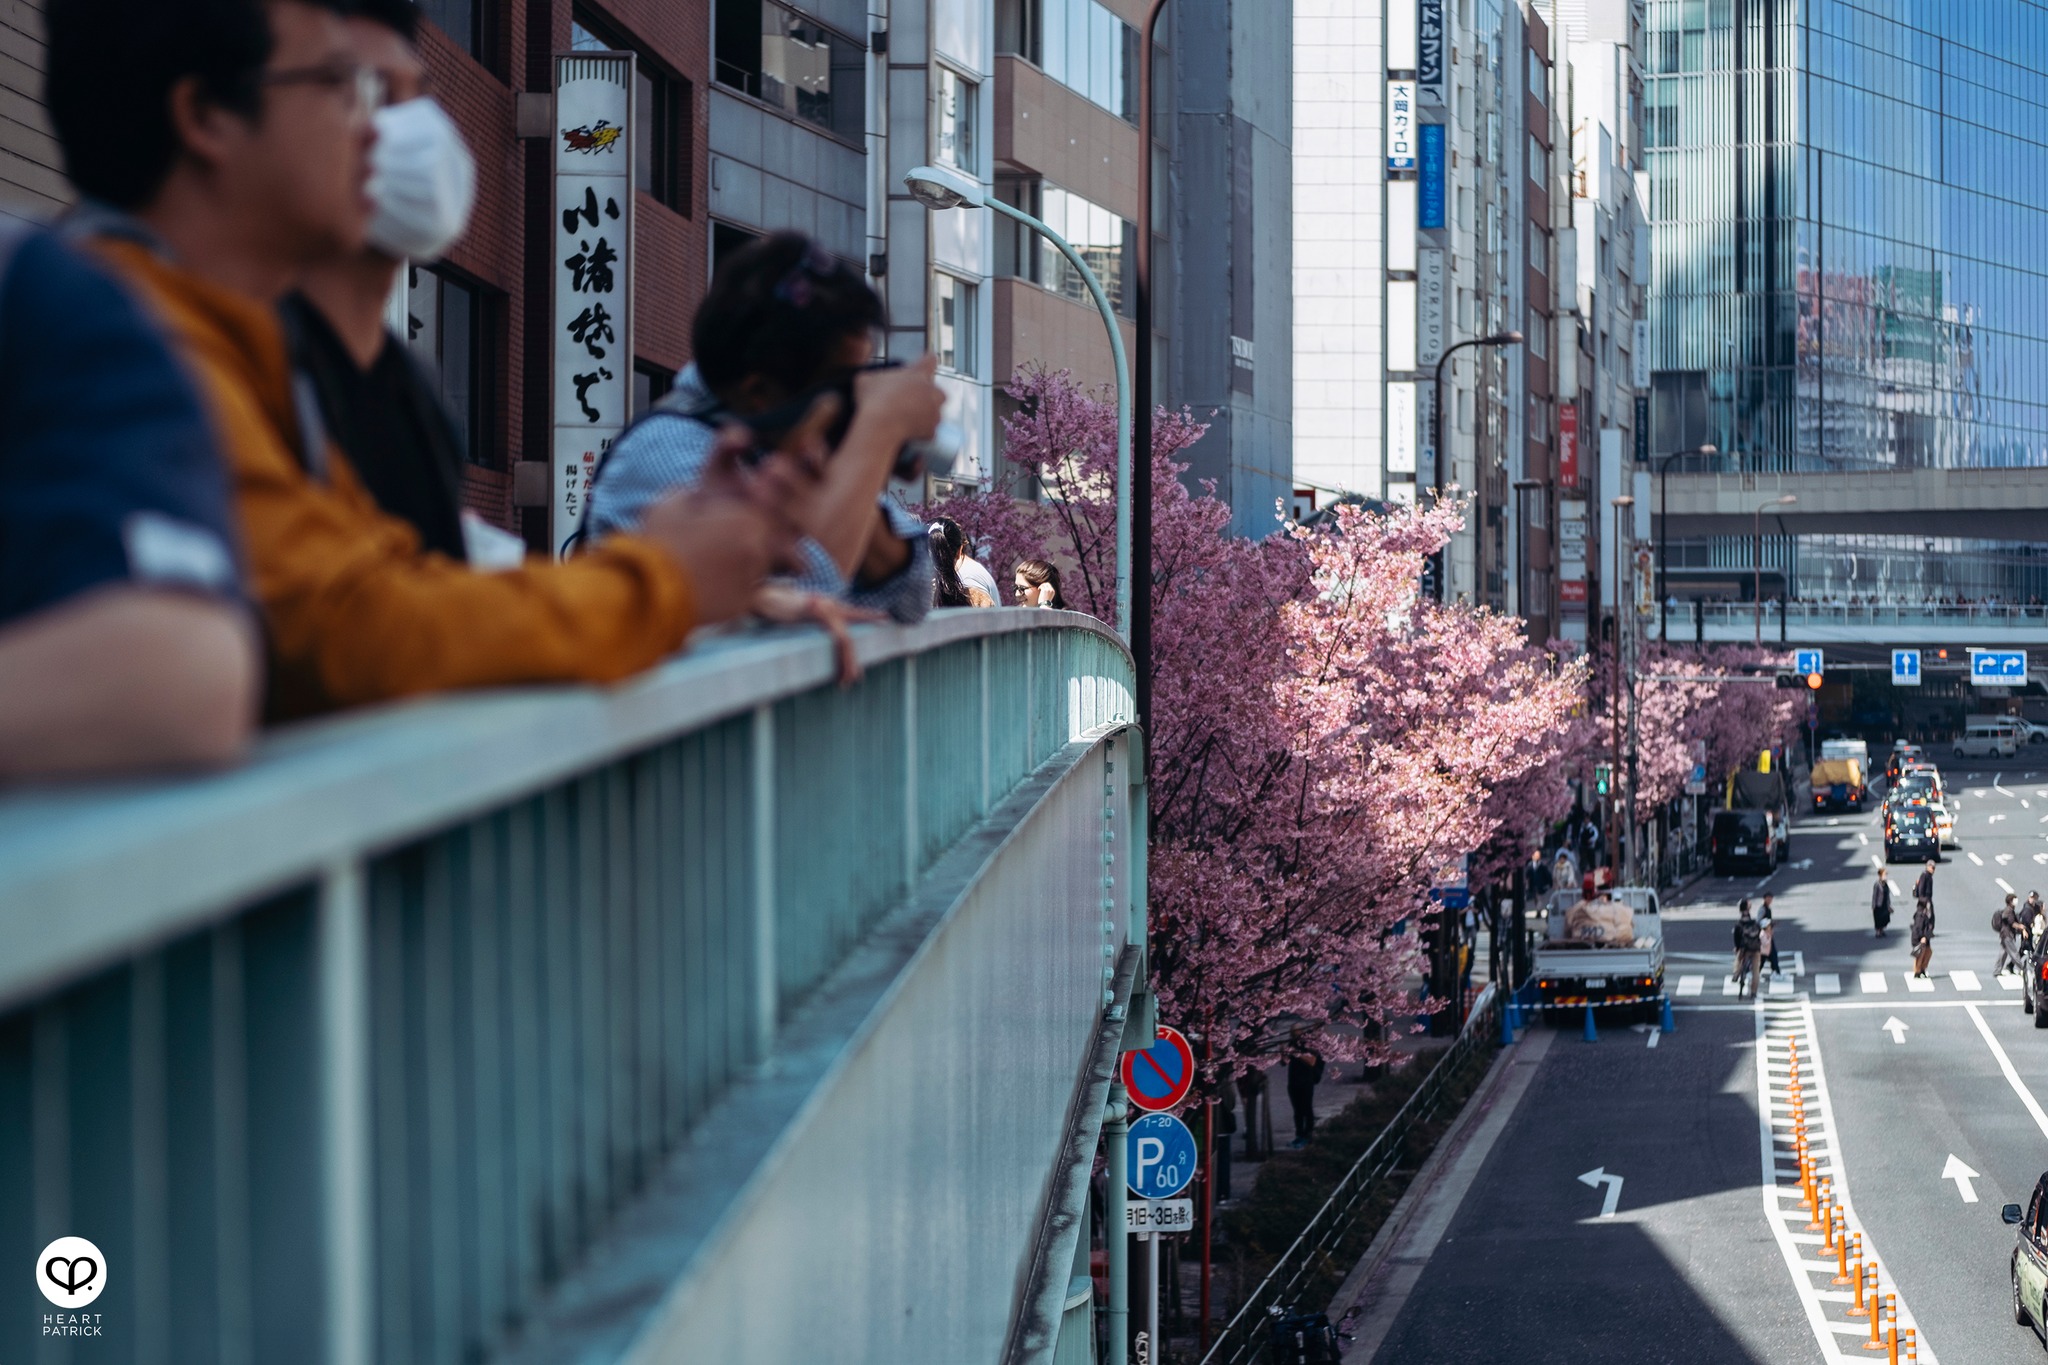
(1707, 1256)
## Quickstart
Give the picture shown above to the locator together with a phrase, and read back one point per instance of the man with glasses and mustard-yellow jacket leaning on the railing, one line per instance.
(230, 142)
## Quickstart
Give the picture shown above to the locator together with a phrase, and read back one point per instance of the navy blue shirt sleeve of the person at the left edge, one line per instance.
(112, 468)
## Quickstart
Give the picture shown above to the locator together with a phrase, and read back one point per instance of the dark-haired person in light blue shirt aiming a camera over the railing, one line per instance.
(783, 326)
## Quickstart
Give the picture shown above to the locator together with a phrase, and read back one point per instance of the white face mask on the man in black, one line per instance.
(423, 181)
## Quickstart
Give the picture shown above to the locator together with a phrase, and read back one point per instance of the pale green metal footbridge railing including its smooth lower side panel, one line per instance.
(722, 1016)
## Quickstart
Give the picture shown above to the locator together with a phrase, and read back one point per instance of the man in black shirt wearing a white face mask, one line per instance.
(374, 398)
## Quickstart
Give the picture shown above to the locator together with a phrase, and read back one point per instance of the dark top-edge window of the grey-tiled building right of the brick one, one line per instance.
(796, 64)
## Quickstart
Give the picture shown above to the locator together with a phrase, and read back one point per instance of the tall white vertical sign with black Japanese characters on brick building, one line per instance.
(593, 275)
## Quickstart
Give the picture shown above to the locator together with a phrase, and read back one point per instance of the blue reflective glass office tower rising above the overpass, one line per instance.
(1850, 238)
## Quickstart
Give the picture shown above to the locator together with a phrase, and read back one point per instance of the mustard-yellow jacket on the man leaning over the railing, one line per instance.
(353, 609)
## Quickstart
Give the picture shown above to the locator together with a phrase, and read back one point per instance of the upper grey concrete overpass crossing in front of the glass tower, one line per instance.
(1986, 504)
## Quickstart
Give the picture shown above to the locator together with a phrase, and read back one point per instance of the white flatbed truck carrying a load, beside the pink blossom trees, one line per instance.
(1609, 949)
